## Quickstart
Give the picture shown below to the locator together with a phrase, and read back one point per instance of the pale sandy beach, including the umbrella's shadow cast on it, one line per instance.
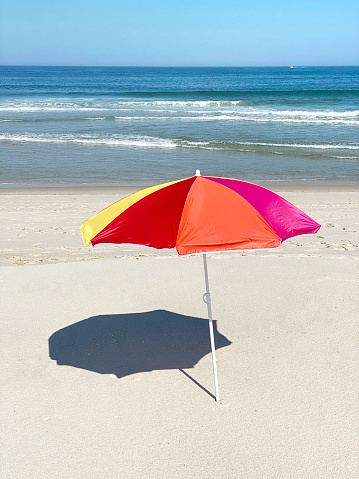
(105, 360)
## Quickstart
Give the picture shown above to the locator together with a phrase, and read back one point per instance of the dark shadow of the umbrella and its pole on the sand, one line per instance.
(125, 344)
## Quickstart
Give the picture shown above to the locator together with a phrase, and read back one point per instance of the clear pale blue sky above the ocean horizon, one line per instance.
(179, 32)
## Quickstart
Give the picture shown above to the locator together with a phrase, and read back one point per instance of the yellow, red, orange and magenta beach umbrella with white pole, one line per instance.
(200, 215)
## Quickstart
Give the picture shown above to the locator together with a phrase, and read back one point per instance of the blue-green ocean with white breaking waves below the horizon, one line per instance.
(87, 126)
